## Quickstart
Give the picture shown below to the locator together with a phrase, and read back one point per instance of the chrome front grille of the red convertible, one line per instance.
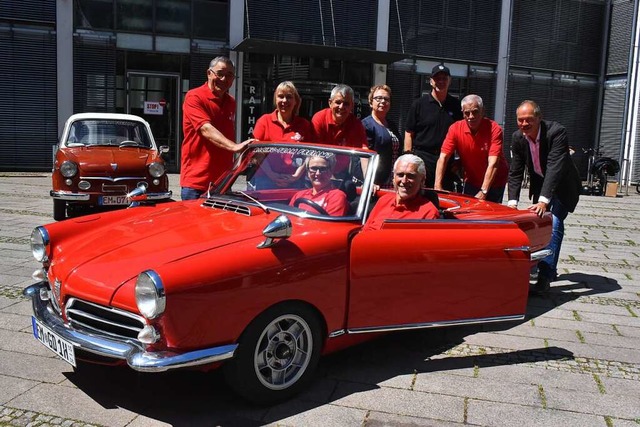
(107, 320)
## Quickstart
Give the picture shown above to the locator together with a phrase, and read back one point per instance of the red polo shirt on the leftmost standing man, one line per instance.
(203, 162)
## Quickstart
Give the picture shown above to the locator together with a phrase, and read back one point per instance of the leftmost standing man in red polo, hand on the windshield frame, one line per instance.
(209, 116)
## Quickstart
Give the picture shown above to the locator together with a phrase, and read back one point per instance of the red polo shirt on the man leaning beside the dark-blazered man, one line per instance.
(474, 151)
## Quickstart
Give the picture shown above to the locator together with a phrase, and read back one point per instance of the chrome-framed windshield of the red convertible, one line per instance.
(302, 179)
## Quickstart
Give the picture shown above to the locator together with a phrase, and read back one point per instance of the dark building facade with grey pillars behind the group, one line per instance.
(572, 56)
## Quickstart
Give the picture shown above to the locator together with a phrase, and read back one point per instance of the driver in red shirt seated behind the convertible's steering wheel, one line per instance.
(322, 197)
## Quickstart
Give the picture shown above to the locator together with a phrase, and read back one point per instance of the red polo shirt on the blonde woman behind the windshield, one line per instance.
(268, 128)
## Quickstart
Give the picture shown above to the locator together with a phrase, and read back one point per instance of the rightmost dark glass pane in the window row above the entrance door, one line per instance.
(210, 19)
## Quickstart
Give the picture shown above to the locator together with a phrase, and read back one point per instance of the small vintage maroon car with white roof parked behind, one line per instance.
(102, 157)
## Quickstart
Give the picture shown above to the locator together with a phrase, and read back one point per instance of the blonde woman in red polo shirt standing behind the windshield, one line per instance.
(283, 124)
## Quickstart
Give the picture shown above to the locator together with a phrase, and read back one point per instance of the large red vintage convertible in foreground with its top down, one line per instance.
(248, 281)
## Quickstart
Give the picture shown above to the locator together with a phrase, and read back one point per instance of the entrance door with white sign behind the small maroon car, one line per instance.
(156, 98)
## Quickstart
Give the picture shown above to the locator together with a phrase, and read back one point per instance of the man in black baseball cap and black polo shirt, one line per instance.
(428, 121)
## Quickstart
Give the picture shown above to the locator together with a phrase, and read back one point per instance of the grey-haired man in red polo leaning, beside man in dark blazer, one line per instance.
(478, 141)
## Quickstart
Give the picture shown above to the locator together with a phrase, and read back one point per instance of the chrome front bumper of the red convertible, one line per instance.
(119, 348)
